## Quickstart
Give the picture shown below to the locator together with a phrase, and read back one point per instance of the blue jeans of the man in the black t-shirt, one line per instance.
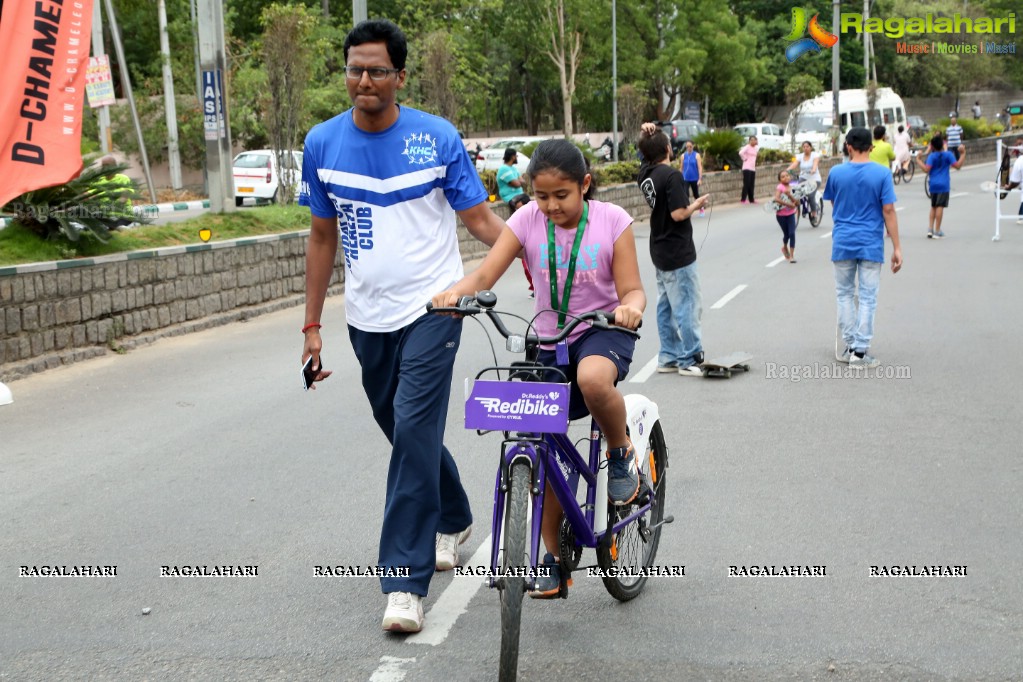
(679, 309)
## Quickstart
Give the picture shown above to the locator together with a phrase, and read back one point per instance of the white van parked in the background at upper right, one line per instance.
(816, 116)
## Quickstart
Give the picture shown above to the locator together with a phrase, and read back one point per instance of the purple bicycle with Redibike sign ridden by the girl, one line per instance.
(530, 406)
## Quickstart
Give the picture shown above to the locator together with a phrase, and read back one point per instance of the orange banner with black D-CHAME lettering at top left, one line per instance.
(42, 86)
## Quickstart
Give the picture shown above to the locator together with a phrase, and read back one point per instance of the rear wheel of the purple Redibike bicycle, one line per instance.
(635, 548)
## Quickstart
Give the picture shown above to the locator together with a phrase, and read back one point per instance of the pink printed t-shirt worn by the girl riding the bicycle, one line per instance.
(594, 287)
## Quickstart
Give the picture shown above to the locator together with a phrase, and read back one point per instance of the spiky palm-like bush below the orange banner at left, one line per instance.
(91, 205)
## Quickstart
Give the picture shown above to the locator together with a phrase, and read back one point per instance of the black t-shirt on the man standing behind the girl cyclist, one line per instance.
(672, 245)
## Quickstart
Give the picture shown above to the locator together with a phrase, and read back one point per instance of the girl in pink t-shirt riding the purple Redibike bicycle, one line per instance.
(583, 255)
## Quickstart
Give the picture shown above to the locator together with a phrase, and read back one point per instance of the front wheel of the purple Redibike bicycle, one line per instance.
(516, 509)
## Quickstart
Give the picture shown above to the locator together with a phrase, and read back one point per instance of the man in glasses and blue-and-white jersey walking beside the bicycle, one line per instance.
(390, 179)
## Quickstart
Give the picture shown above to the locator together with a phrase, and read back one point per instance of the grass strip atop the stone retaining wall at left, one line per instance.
(19, 246)
